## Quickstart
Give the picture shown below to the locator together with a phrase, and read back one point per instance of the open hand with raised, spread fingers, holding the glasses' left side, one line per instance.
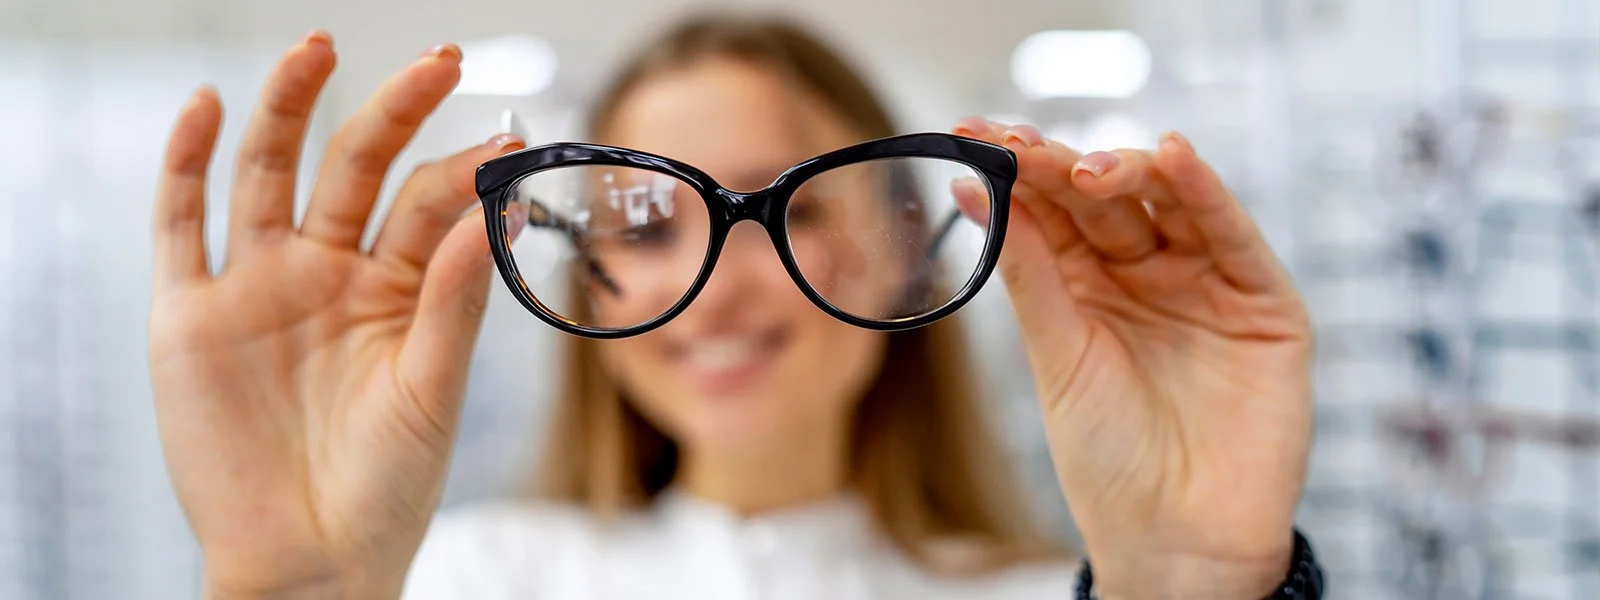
(308, 394)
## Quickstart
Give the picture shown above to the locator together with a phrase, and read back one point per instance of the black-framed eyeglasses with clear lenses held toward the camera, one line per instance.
(609, 242)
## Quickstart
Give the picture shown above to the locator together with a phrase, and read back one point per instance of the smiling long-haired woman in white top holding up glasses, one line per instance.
(310, 393)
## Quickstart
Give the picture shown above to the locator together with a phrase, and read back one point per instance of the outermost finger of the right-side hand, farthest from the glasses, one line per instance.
(1233, 238)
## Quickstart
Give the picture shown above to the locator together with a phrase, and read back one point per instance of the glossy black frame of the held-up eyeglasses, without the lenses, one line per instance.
(769, 207)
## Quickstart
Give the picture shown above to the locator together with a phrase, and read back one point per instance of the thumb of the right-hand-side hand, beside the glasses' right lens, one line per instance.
(1055, 334)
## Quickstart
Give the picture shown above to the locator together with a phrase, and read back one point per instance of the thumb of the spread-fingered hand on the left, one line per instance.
(450, 314)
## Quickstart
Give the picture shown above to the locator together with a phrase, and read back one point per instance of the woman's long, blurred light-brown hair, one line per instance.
(922, 458)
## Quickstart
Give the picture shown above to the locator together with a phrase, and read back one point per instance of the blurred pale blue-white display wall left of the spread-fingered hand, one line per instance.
(86, 508)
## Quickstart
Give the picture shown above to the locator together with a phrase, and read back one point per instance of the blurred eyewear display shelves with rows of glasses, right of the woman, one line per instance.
(1487, 428)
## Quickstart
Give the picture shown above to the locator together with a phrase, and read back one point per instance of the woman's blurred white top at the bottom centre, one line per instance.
(684, 548)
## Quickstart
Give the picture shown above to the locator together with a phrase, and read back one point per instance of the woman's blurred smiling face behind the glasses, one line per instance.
(751, 361)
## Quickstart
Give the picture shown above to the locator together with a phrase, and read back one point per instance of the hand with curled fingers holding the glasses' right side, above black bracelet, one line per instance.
(1172, 356)
